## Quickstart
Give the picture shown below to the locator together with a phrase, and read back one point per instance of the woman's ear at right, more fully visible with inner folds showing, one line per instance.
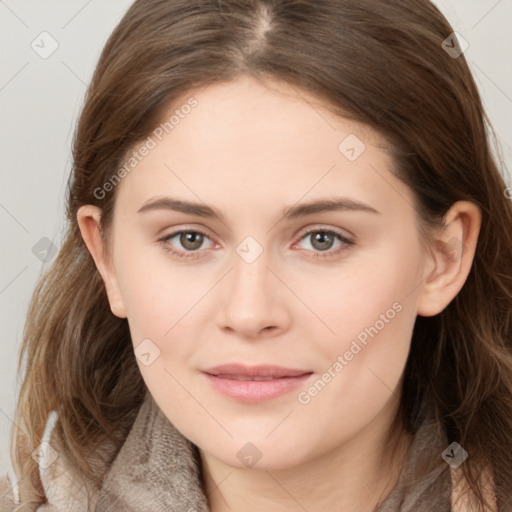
(452, 254)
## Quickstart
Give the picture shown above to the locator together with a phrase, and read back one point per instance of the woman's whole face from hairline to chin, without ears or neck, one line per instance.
(329, 295)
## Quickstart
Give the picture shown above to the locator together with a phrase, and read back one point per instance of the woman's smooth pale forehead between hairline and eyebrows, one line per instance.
(258, 144)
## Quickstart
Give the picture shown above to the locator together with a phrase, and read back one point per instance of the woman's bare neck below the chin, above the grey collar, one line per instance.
(357, 475)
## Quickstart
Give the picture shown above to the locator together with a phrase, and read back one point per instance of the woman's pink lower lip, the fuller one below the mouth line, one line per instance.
(254, 391)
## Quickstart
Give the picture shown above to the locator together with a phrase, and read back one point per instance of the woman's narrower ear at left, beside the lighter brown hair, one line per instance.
(89, 217)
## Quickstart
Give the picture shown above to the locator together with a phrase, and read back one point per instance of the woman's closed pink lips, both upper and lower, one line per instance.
(253, 384)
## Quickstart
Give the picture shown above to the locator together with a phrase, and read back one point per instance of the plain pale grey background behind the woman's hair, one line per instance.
(40, 100)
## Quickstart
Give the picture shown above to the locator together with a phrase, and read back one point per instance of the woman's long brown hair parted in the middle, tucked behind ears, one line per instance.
(381, 63)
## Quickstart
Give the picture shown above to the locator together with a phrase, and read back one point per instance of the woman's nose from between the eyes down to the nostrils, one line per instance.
(254, 301)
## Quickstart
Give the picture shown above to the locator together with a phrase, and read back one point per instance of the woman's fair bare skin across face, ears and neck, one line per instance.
(270, 147)
